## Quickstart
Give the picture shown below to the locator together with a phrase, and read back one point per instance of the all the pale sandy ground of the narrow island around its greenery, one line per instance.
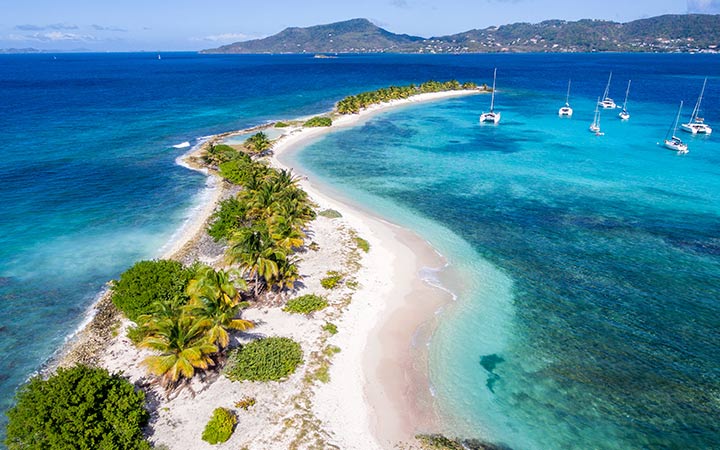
(377, 396)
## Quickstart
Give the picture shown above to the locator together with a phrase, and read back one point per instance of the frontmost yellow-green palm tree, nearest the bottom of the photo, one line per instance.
(183, 346)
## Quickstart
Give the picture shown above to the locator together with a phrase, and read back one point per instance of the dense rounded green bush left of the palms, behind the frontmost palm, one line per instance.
(148, 282)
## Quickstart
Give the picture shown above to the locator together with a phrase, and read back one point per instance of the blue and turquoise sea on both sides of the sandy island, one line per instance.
(587, 267)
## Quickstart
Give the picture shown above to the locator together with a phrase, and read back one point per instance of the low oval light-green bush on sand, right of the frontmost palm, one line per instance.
(269, 359)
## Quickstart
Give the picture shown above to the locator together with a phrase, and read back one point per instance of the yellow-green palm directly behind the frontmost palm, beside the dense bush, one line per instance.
(215, 298)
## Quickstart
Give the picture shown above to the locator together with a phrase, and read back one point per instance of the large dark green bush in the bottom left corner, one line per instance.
(79, 407)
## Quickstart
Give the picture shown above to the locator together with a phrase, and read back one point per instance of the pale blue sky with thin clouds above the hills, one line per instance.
(160, 25)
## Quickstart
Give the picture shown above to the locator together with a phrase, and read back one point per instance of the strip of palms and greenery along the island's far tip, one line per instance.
(354, 103)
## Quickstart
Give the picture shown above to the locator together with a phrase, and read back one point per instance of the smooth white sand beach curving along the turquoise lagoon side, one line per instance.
(381, 357)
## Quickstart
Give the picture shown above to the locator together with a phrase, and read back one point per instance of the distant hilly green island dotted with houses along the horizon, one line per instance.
(689, 33)
